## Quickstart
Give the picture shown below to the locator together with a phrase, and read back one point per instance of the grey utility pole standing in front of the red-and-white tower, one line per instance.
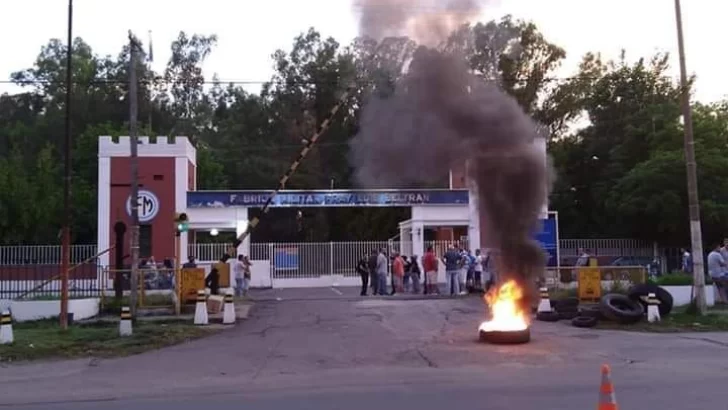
(134, 165)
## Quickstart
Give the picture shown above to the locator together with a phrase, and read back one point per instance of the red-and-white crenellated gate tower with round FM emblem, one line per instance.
(167, 170)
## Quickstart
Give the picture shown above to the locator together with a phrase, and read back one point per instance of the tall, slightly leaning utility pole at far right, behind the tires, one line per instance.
(696, 235)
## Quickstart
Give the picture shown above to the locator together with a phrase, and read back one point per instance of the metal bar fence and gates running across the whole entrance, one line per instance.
(288, 261)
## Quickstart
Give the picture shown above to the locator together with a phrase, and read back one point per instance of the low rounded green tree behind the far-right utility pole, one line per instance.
(652, 197)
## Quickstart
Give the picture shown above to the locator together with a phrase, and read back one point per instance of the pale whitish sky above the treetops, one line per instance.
(250, 31)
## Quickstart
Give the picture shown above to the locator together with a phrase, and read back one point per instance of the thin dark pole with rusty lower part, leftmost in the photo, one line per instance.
(66, 234)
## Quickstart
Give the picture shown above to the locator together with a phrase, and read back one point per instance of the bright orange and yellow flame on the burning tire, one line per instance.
(506, 313)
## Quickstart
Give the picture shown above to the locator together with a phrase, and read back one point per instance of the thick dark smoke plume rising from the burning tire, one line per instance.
(441, 116)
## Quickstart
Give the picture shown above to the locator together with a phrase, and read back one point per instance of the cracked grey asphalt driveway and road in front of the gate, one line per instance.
(328, 349)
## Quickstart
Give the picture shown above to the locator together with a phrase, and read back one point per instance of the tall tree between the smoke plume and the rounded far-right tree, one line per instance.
(632, 112)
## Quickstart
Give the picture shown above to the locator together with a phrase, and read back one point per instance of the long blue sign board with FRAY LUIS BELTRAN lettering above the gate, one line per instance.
(335, 198)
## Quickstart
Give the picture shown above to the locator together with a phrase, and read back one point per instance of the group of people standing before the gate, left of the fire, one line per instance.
(465, 271)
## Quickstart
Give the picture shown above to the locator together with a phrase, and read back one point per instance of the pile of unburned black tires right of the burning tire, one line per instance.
(624, 309)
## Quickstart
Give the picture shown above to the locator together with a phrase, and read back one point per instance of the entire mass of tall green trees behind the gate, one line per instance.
(621, 174)
